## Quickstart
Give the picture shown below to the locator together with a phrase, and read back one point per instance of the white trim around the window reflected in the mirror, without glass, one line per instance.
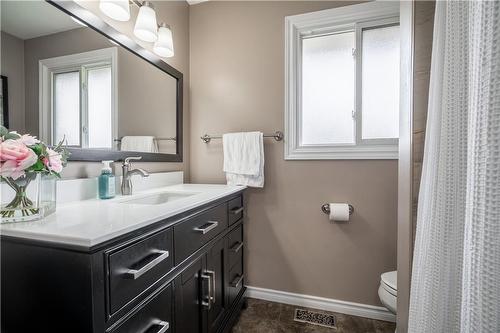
(47, 67)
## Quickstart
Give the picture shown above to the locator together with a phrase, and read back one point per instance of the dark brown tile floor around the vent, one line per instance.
(269, 317)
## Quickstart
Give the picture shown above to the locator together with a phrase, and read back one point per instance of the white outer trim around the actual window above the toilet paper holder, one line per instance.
(295, 27)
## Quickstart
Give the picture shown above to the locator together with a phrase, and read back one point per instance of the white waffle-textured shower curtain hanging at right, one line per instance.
(456, 266)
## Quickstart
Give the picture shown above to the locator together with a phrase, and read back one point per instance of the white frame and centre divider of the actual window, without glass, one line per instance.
(355, 18)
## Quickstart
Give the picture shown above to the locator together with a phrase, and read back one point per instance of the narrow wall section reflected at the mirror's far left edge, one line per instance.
(12, 66)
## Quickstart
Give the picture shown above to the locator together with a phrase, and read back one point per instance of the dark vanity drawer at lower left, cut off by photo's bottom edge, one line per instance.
(155, 316)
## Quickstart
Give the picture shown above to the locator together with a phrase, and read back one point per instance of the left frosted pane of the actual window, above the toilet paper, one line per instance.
(328, 89)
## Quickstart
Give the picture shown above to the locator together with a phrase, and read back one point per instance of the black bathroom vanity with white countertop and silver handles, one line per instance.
(164, 260)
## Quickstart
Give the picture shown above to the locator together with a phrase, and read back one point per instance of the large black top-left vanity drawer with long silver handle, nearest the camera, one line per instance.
(138, 266)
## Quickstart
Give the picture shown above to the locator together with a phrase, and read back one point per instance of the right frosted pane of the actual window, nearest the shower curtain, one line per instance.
(380, 83)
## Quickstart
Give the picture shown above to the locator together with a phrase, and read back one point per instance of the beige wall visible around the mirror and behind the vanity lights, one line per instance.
(176, 14)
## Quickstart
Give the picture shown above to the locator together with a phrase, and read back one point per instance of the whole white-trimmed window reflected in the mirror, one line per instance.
(78, 99)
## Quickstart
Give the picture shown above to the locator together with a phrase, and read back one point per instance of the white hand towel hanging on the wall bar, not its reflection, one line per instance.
(244, 158)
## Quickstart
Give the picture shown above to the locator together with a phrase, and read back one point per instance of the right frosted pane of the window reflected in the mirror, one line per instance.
(99, 107)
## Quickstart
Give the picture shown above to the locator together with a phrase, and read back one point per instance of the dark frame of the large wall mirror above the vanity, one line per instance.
(99, 25)
